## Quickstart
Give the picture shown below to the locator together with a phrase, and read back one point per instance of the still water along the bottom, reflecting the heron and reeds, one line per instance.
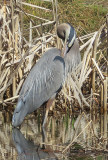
(76, 137)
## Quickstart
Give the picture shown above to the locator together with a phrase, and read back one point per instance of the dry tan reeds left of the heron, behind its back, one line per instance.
(16, 52)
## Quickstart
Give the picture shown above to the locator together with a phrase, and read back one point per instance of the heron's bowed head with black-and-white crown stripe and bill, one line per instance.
(67, 33)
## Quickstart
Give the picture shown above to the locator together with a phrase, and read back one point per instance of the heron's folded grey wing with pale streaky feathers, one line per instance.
(45, 78)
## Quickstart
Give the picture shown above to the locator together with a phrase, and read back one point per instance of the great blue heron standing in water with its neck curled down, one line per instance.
(47, 76)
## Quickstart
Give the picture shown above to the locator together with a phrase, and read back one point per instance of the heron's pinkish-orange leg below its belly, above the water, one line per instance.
(48, 105)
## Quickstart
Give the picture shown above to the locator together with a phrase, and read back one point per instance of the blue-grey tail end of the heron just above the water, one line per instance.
(19, 113)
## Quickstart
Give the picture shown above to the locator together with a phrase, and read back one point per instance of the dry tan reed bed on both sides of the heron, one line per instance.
(18, 54)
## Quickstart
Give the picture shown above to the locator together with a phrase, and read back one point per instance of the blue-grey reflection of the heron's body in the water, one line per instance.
(27, 150)
